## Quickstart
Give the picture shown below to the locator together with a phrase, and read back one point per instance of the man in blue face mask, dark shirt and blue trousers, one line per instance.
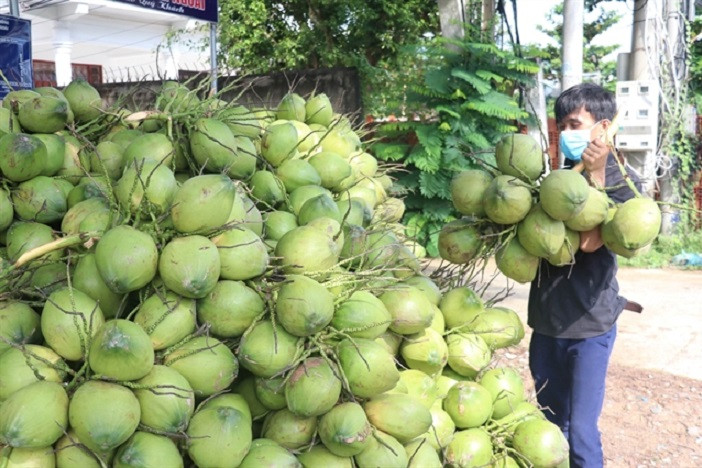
(573, 308)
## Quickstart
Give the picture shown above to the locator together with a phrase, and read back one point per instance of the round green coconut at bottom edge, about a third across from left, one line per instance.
(219, 437)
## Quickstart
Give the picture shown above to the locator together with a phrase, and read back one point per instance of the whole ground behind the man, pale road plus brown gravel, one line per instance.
(652, 414)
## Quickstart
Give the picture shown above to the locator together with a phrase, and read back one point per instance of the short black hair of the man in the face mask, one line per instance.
(596, 100)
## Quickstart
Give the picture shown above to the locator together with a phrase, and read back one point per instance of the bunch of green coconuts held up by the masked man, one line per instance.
(538, 215)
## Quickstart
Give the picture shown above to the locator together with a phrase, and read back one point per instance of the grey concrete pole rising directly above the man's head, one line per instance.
(572, 55)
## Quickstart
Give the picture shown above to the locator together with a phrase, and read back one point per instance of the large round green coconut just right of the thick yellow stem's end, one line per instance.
(126, 258)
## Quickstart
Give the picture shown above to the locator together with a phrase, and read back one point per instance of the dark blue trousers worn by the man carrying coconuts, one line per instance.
(569, 375)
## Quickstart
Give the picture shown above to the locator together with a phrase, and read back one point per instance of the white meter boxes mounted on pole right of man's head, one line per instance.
(638, 125)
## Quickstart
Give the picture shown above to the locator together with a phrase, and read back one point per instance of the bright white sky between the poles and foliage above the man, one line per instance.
(531, 13)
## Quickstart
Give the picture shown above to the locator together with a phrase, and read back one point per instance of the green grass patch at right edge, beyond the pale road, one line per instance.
(664, 249)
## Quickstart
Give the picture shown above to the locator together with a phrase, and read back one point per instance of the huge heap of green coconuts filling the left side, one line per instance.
(203, 284)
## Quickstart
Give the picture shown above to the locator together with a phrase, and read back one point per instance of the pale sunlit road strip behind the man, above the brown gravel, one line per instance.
(667, 336)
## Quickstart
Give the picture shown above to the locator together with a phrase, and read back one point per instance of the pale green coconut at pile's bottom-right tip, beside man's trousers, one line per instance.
(540, 443)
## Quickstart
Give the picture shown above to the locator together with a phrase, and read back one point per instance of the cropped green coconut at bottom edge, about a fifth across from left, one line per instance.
(146, 449)
